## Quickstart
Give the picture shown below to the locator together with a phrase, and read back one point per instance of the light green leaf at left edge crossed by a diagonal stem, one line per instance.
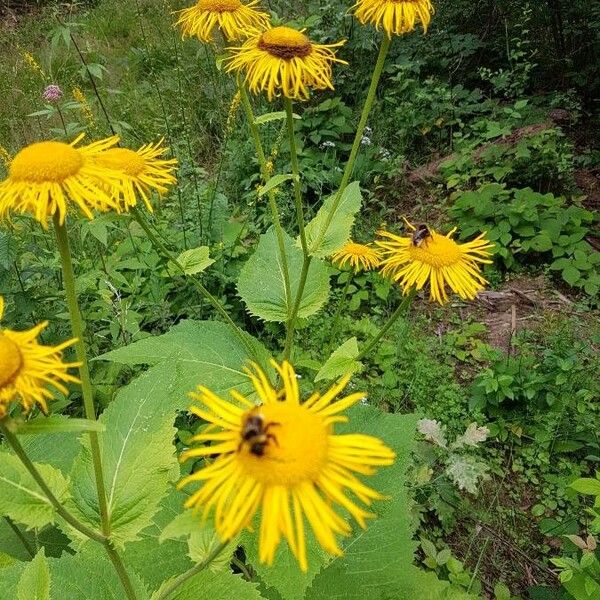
(21, 498)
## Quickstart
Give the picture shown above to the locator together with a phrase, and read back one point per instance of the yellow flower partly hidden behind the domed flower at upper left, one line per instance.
(142, 171)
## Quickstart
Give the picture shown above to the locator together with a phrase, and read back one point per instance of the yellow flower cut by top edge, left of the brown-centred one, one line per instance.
(236, 21)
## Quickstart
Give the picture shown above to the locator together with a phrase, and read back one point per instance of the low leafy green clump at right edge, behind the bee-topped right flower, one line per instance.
(529, 227)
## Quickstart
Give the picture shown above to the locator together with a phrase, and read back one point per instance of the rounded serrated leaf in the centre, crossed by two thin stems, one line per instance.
(261, 282)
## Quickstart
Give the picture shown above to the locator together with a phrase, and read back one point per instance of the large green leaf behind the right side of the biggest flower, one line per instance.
(376, 560)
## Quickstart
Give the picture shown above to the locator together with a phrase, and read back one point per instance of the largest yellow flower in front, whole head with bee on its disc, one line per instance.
(283, 456)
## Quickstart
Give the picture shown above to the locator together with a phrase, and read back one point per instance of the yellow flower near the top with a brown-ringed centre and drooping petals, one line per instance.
(284, 61)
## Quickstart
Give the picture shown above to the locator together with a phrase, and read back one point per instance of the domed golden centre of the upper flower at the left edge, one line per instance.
(46, 162)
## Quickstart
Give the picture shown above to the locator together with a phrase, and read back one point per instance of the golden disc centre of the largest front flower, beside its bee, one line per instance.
(295, 450)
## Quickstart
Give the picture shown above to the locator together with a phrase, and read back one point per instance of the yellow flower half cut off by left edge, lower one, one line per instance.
(27, 368)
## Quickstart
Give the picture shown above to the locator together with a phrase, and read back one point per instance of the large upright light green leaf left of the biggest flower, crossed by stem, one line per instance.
(137, 457)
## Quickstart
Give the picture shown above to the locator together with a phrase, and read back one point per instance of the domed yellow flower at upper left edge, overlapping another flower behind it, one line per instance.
(45, 178)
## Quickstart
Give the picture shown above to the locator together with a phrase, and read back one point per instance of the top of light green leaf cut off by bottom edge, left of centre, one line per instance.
(216, 585)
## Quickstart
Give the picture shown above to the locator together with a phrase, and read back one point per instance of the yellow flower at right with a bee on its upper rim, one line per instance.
(428, 256)
